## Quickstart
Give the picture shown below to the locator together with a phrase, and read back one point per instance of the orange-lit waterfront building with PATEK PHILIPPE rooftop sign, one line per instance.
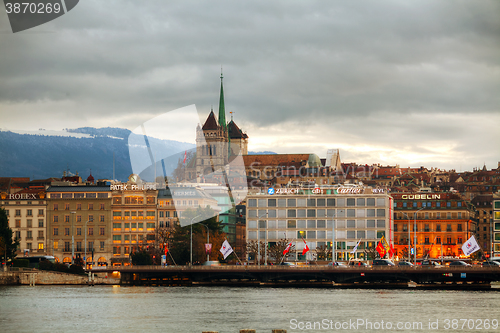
(134, 217)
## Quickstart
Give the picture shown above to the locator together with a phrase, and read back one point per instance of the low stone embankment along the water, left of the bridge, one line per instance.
(36, 277)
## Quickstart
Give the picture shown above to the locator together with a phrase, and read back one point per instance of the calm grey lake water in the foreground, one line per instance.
(224, 309)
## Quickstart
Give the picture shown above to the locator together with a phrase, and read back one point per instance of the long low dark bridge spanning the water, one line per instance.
(308, 276)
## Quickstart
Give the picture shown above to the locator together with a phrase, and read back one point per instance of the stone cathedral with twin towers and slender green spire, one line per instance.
(216, 142)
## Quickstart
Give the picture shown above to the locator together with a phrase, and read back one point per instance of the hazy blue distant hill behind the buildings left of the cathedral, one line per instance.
(42, 156)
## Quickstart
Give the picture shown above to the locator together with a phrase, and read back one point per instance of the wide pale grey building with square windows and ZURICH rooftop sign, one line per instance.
(352, 214)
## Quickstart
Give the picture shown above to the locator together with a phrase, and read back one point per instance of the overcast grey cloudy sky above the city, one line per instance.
(409, 83)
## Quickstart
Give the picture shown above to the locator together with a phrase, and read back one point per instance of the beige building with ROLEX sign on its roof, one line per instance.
(26, 211)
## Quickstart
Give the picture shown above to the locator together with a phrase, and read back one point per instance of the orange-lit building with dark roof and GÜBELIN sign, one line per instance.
(443, 222)
